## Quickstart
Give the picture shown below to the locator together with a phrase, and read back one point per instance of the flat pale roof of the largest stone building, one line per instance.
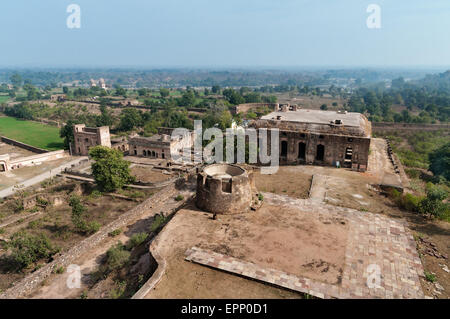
(318, 117)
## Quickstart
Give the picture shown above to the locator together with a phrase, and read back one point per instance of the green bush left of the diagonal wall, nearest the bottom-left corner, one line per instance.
(27, 249)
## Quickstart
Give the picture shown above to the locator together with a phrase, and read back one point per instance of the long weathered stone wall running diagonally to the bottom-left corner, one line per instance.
(24, 287)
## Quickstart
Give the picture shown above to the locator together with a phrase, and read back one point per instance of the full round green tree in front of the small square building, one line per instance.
(110, 170)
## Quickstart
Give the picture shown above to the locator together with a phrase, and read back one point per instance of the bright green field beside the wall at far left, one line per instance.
(32, 133)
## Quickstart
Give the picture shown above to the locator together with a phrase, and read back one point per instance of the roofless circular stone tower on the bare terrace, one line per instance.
(224, 189)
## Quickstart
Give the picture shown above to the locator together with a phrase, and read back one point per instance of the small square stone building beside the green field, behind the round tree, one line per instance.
(87, 137)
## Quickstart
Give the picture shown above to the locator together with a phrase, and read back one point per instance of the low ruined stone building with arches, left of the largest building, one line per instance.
(160, 145)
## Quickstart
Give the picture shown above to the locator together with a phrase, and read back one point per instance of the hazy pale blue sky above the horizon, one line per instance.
(221, 33)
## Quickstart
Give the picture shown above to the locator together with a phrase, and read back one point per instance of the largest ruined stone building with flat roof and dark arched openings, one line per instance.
(332, 138)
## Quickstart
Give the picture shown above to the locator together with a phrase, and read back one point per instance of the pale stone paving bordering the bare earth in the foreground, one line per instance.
(381, 260)
